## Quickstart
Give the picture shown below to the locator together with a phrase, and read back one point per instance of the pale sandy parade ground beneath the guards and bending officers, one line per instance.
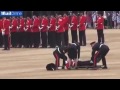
(30, 63)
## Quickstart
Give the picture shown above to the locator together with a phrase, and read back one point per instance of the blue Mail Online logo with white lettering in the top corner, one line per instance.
(11, 13)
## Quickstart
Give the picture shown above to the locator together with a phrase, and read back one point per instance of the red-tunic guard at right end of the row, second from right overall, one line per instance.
(82, 28)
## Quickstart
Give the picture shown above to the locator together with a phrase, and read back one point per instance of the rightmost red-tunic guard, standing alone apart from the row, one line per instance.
(100, 27)
